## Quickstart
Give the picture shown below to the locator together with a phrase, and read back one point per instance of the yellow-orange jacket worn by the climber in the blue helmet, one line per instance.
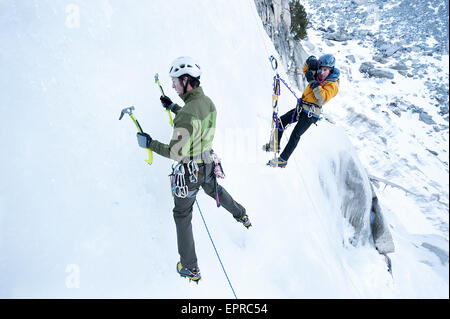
(327, 89)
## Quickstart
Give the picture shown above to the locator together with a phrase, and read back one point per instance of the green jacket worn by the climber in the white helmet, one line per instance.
(193, 128)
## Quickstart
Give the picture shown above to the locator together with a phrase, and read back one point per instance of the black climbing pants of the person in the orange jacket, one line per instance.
(304, 122)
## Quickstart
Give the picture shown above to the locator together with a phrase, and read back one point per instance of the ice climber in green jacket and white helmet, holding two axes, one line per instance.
(197, 165)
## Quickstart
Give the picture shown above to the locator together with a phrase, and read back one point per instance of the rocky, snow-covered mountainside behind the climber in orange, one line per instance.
(394, 61)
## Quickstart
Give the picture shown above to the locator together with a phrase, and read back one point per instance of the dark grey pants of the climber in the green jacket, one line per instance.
(182, 212)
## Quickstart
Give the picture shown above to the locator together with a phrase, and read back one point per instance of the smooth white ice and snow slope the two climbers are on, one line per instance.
(82, 215)
